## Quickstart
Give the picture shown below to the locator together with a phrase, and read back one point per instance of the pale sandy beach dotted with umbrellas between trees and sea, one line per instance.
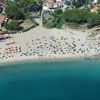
(43, 44)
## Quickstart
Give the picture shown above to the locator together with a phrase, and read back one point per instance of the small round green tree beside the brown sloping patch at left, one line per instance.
(13, 25)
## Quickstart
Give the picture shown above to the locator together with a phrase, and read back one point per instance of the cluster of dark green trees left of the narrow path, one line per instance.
(20, 10)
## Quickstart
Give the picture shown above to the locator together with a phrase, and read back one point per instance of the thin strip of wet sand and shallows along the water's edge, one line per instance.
(22, 60)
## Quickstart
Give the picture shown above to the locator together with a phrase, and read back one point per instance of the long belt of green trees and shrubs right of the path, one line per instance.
(76, 16)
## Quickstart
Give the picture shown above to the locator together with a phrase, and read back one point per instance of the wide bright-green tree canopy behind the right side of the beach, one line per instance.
(75, 15)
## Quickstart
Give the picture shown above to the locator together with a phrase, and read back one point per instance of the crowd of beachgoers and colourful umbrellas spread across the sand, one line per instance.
(49, 47)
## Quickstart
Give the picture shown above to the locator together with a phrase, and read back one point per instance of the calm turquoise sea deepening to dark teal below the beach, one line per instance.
(64, 80)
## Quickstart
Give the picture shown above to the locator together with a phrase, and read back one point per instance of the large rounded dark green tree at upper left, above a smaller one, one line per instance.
(14, 12)
